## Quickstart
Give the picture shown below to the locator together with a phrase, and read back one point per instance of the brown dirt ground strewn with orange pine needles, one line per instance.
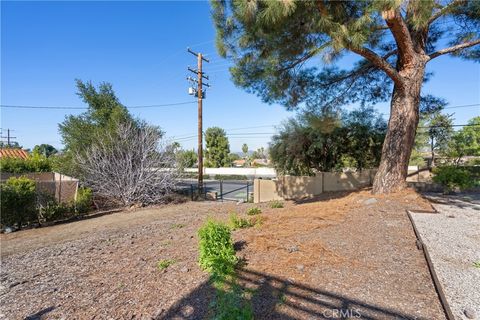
(345, 255)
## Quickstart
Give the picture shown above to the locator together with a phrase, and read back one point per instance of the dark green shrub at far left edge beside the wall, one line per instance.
(18, 202)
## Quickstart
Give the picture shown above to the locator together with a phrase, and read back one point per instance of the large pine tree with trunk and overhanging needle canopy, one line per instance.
(273, 45)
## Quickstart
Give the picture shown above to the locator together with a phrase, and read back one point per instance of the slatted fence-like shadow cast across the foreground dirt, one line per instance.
(272, 297)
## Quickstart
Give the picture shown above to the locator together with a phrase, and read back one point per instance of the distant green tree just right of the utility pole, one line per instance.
(218, 148)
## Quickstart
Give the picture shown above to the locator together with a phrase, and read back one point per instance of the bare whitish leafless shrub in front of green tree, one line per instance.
(131, 165)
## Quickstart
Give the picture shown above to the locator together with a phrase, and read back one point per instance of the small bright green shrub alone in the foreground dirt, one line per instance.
(217, 255)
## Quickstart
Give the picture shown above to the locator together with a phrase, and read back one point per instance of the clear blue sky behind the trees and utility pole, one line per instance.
(140, 47)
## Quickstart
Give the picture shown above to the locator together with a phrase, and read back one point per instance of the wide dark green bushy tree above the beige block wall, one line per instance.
(312, 143)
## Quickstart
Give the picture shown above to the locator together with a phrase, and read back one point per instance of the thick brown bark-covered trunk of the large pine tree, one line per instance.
(399, 141)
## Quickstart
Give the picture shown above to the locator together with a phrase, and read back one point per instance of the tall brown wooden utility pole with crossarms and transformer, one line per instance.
(200, 96)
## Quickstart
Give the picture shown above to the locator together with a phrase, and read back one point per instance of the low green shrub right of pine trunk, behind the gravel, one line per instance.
(451, 177)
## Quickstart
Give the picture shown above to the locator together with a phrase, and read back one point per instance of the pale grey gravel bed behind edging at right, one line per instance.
(452, 238)
